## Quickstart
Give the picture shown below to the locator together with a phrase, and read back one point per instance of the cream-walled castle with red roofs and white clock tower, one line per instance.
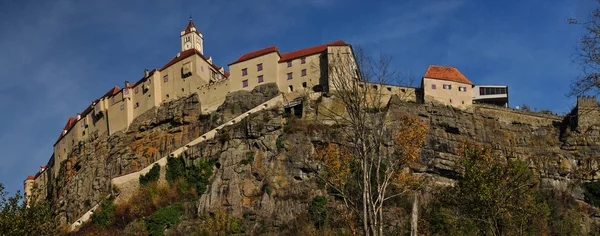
(190, 71)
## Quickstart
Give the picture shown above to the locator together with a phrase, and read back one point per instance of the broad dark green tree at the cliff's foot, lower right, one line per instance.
(492, 197)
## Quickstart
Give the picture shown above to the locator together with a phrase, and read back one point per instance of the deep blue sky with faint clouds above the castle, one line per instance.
(58, 56)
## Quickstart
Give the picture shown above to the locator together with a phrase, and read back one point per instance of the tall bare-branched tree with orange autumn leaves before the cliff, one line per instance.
(368, 165)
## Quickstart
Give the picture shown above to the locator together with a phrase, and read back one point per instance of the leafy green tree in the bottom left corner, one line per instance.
(17, 218)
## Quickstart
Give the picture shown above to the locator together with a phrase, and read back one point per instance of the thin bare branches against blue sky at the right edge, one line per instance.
(587, 56)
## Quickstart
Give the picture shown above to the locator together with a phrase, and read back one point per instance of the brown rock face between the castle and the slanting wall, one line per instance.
(84, 179)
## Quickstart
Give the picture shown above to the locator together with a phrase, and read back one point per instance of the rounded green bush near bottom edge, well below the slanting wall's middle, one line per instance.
(164, 217)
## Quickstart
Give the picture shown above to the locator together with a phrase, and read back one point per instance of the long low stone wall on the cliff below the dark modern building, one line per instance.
(508, 115)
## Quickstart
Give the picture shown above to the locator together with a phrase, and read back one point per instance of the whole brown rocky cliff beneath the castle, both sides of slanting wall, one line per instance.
(262, 169)
